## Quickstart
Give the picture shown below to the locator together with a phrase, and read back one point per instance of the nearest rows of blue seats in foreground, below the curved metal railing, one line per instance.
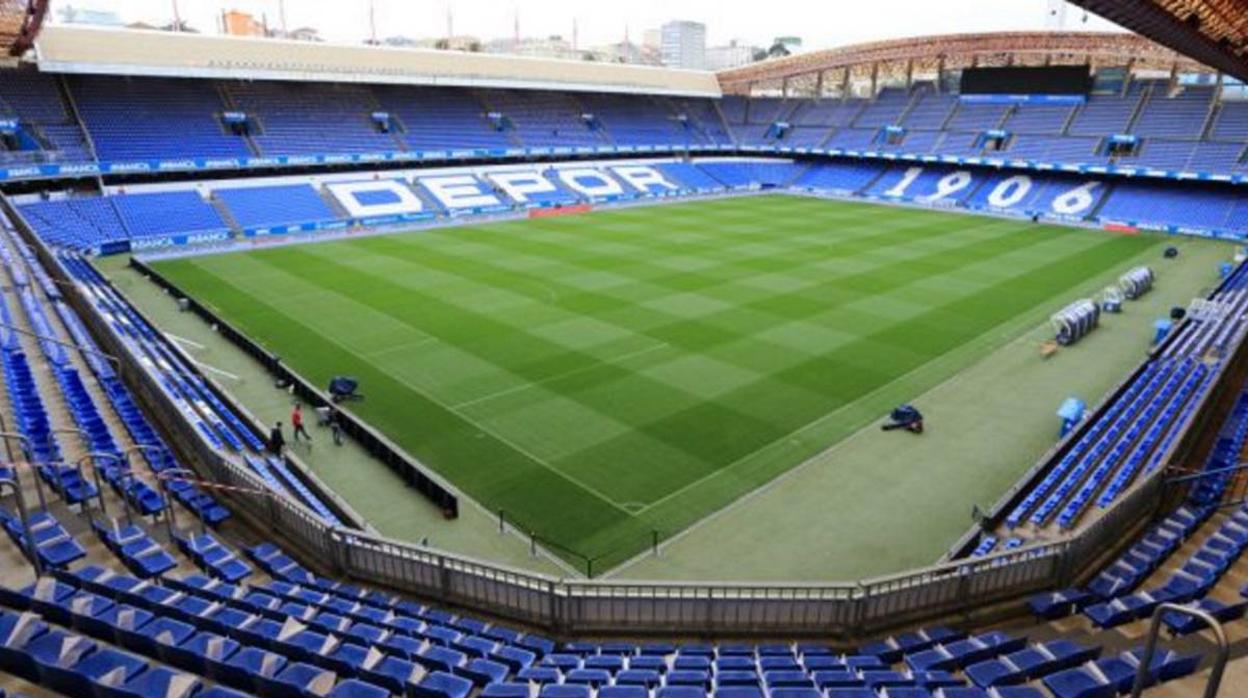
(296, 629)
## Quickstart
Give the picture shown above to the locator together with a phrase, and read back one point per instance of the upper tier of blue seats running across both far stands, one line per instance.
(180, 120)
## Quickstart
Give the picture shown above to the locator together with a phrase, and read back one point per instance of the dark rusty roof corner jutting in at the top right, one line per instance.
(1212, 32)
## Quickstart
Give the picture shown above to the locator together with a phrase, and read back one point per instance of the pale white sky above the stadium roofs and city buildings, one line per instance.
(819, 23)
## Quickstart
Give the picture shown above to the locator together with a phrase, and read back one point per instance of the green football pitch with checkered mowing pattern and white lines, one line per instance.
(606, 378)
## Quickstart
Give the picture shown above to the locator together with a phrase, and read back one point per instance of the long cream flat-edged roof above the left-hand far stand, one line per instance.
(113, 52)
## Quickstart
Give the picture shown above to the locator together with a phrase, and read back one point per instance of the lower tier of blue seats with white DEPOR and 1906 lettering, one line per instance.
(142, 218)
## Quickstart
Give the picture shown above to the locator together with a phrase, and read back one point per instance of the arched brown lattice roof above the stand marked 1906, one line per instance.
(964, 51)
